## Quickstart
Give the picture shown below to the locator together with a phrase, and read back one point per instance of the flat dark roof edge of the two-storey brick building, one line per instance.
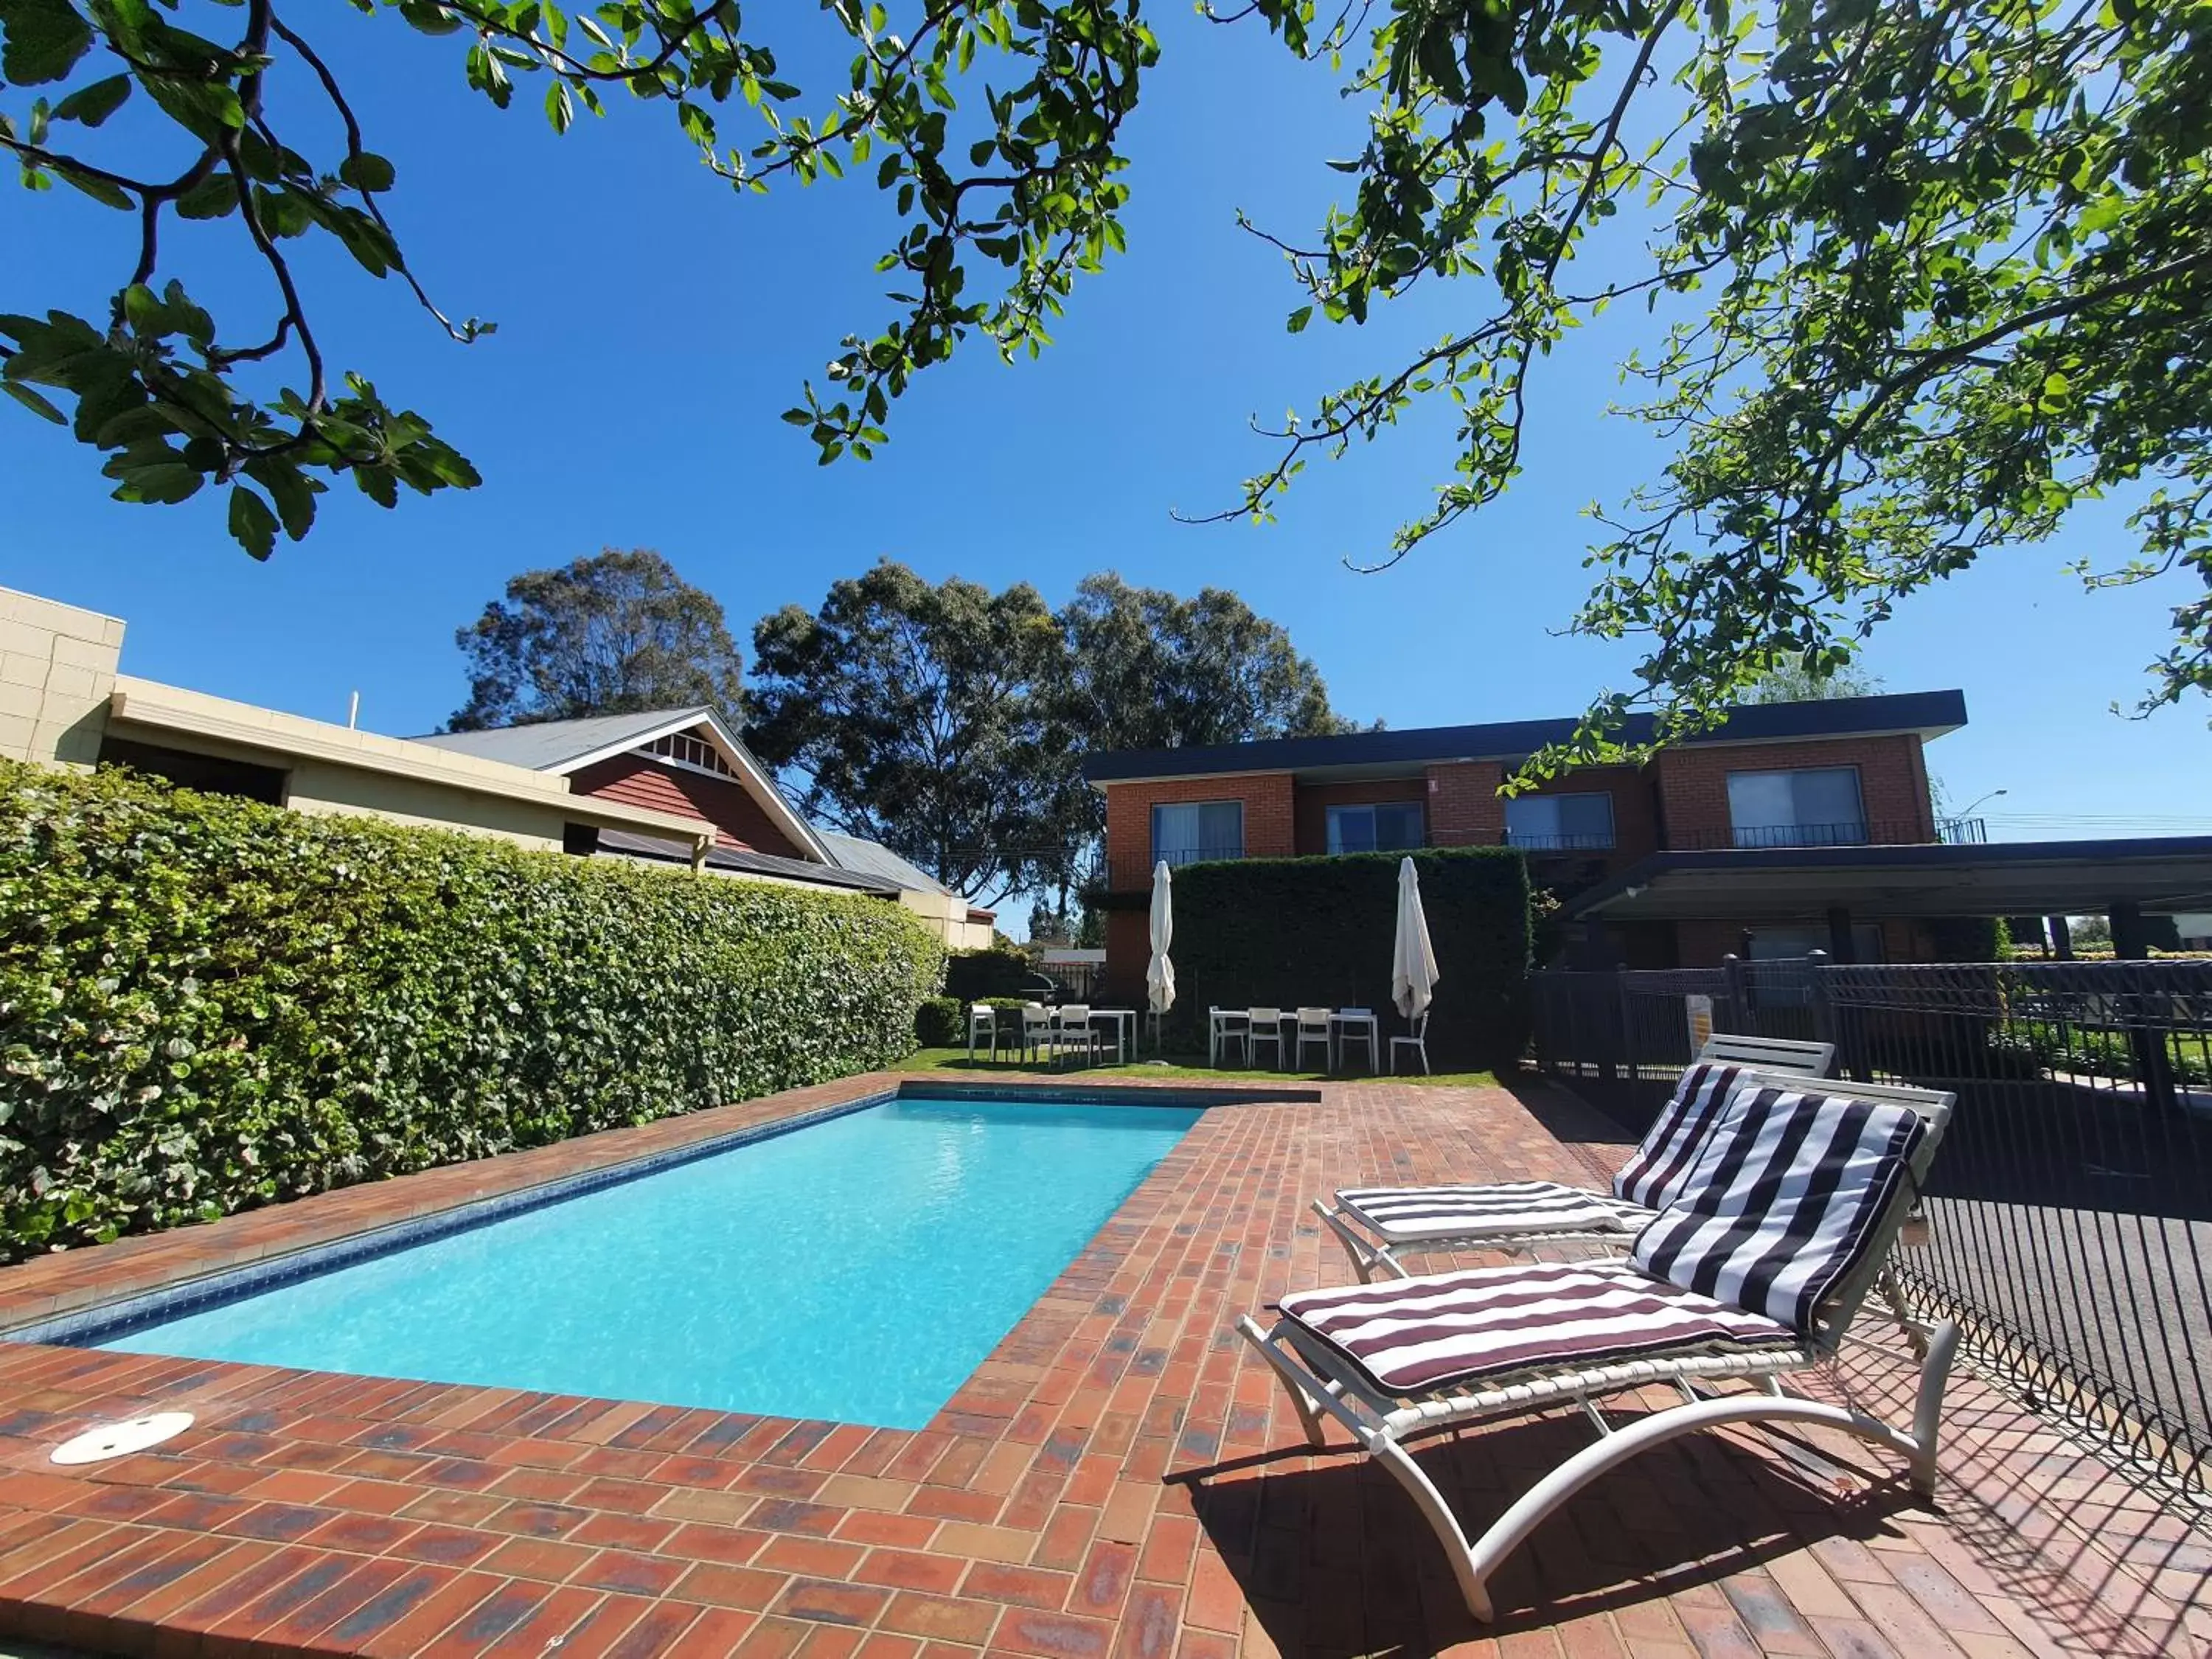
(1395, 753)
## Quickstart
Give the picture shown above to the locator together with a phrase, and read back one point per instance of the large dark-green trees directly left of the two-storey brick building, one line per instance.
(952, 722)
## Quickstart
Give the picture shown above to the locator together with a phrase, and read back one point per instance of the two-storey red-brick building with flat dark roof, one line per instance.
(1775, 775)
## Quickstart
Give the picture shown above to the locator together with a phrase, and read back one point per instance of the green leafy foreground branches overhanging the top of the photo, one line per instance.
(1941, 271)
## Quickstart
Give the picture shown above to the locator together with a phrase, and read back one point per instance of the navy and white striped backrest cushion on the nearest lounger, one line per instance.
(1784, 1200)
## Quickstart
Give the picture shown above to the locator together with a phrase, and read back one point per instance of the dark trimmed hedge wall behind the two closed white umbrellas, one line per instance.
(1280, 932)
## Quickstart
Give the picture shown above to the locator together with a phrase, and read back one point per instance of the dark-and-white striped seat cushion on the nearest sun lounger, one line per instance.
(1443, 1331)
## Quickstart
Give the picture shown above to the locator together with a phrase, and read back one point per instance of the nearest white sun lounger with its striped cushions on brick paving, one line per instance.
(1757, 1275)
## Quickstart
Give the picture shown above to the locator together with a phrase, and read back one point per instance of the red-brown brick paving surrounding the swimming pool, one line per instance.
(1118, 1481)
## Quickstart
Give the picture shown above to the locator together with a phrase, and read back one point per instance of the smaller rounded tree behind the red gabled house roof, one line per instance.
(618, 634)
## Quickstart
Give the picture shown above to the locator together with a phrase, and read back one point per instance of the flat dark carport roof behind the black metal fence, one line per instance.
(1985, 879)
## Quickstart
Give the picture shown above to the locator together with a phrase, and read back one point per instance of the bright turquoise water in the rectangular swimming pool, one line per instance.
(853, 1271)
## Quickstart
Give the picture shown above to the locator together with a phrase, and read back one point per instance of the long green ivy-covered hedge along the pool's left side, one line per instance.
(211, 1005)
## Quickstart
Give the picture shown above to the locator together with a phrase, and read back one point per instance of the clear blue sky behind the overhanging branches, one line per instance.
(654, 326)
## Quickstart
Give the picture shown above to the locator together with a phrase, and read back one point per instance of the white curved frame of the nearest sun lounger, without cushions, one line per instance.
(1324, 1384)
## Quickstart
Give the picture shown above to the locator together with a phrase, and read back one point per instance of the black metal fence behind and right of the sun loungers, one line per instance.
(2072, 1202)
